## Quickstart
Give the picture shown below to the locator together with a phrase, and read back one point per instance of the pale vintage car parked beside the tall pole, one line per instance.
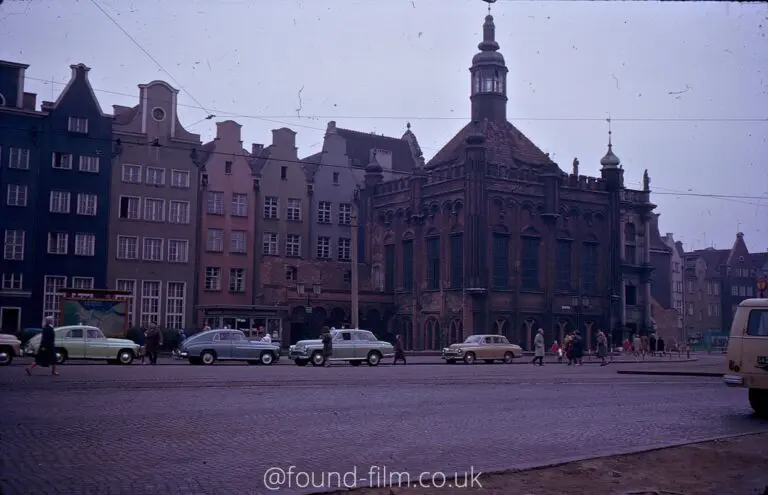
(352, 345)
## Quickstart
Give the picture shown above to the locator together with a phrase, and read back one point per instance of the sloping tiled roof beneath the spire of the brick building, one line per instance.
(504, 143)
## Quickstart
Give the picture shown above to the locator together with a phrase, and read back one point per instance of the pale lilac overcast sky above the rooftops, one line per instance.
(373, 65)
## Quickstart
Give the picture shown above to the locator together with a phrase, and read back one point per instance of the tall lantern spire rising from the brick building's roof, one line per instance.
(489, 76)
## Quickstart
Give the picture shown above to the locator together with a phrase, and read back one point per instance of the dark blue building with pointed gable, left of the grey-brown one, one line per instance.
(66, 218)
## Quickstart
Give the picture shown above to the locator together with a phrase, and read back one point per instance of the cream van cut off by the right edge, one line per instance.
(748, 353)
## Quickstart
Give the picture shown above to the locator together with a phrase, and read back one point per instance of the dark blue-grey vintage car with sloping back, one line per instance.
(227, 345)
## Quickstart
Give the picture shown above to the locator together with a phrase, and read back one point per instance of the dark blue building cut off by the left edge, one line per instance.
(20, 153)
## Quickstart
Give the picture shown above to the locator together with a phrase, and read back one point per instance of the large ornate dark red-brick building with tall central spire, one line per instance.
(492, 236)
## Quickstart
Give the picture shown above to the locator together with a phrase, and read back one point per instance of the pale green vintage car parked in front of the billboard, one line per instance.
(87, 342)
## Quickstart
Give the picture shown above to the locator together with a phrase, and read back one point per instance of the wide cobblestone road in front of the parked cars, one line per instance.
(192, 429)
